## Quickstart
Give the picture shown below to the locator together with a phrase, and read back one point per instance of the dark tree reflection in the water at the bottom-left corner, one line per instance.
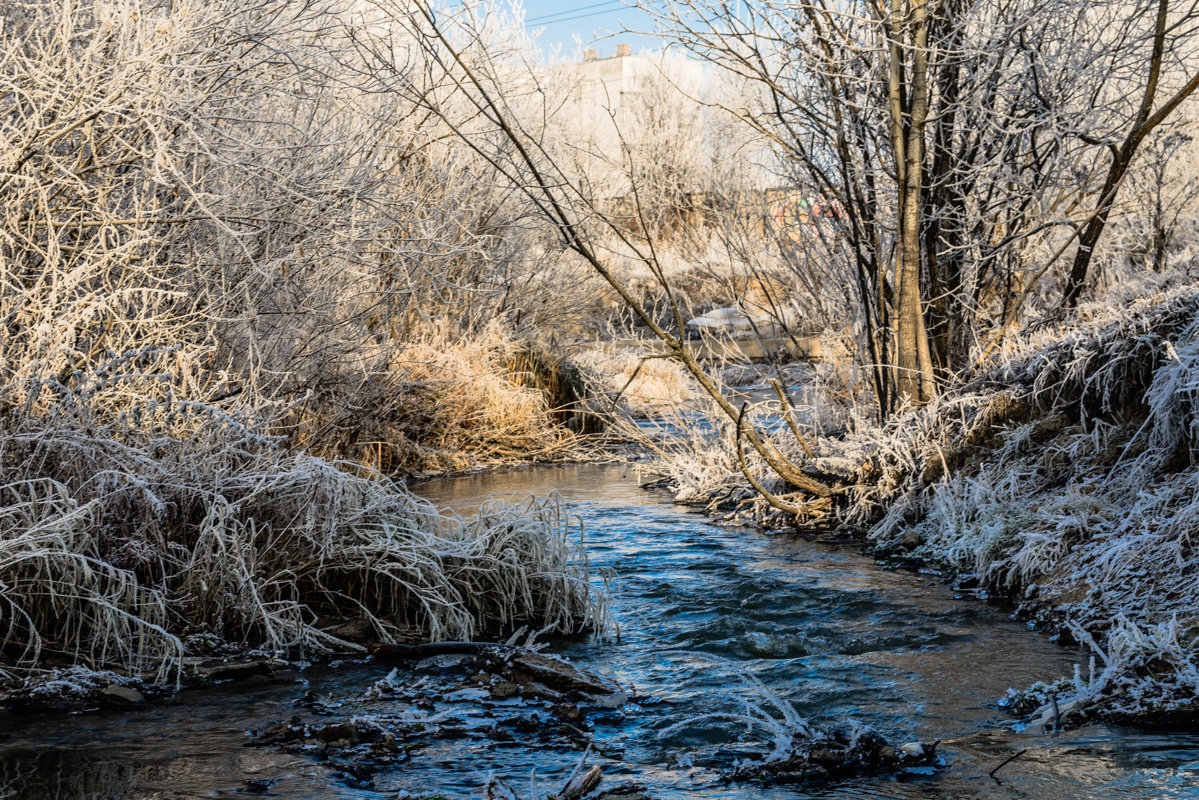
(65, 775)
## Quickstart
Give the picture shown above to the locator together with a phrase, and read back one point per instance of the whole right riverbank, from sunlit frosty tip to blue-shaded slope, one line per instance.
(1063, 478)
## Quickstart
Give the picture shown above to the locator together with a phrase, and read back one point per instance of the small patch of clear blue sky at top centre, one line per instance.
(588, 19)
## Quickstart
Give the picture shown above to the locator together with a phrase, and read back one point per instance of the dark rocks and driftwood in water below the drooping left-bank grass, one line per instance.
(455, 690)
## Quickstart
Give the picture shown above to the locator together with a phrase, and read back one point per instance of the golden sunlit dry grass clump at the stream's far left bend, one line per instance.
(444, 405)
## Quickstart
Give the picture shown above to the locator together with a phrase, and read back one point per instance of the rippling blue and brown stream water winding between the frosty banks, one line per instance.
(698, 609)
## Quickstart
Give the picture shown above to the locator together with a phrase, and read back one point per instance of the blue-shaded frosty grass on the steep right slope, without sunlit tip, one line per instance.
(1089, 506)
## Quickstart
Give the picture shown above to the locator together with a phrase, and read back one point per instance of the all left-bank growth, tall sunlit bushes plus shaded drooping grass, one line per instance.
(224, 254)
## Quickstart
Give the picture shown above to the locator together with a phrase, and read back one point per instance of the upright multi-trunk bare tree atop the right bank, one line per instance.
(991, 111)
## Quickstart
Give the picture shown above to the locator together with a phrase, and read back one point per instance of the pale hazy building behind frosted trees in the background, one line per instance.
(653, 110)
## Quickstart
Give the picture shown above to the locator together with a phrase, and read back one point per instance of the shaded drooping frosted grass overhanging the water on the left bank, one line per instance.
(120, 542)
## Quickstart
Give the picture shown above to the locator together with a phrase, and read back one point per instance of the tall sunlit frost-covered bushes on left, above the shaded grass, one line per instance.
(226, 191)
